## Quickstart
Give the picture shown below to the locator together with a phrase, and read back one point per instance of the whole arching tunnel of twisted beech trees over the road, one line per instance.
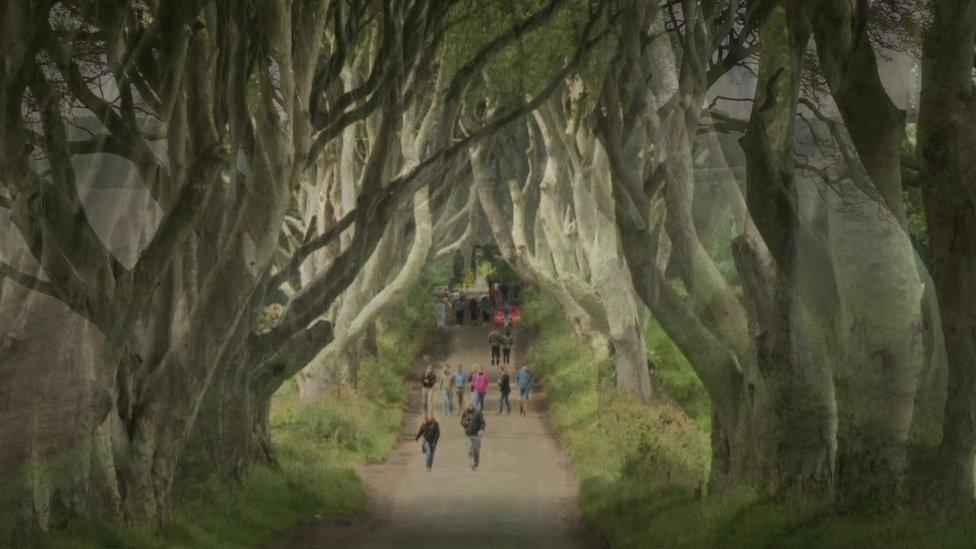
(222, 196)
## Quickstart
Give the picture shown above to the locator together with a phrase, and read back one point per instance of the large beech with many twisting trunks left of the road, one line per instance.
(243, 100)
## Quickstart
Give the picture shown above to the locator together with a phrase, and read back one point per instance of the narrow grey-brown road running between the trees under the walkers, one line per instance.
(524, 494)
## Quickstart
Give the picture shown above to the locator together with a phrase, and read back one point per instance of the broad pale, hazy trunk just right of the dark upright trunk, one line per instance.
(882, 346)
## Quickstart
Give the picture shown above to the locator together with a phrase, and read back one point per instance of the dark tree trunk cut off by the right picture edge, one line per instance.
(947, 150)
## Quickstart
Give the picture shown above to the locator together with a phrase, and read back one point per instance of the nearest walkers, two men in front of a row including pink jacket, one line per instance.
(476, 383)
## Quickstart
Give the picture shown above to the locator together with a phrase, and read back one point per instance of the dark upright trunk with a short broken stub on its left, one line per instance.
(794, 403)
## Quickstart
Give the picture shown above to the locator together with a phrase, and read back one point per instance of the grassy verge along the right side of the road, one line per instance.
(640, 465)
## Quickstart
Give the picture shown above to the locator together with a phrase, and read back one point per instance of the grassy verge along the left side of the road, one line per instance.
(317, 446)
